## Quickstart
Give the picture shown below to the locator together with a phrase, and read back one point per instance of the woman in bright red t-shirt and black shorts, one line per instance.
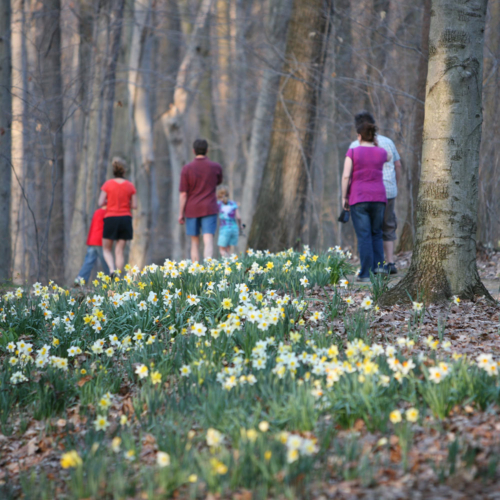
(119, 196)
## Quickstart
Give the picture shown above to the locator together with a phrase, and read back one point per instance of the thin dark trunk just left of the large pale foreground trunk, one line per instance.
(413, 171)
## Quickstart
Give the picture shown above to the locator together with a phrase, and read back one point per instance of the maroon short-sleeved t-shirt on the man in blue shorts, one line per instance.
(199, 179)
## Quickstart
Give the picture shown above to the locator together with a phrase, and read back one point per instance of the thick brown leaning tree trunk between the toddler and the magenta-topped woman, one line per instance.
(287, 176)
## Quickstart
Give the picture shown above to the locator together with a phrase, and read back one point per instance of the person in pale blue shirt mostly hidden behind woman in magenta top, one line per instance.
(391, 175)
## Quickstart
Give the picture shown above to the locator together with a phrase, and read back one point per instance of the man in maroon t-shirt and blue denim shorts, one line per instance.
(198, 207)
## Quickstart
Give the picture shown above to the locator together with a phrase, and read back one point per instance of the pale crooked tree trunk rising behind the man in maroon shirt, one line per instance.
(188, 80)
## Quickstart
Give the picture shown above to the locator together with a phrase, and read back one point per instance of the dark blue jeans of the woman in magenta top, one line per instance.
(367, 219)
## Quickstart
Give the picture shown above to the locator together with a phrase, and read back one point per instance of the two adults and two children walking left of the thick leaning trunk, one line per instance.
(204, 200)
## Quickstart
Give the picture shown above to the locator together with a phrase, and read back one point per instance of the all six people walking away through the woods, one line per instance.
(370, 178)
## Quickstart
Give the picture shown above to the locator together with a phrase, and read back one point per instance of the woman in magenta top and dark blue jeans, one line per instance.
(363, 194)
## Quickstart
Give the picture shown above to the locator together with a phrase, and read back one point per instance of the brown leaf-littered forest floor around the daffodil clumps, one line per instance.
(453, 457)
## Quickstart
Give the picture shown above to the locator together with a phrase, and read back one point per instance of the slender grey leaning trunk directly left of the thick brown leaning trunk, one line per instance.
(262, 124)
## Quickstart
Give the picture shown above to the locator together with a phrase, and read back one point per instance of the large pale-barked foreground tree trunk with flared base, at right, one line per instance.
(444, 259)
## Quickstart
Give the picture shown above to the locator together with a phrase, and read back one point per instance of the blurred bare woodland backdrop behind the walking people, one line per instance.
(82, 81)
